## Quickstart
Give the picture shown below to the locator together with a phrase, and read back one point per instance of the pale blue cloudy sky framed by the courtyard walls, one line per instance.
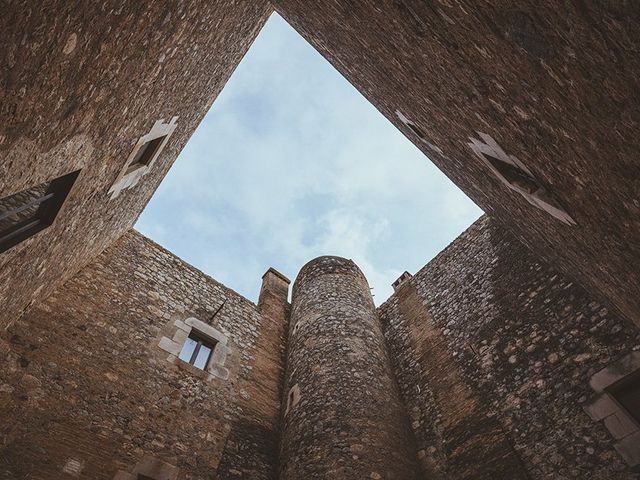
(291, 162)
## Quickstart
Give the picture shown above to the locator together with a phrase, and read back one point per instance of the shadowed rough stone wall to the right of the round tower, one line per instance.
(486, 329)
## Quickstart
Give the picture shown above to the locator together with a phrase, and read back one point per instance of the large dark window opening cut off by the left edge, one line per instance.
(26, 213)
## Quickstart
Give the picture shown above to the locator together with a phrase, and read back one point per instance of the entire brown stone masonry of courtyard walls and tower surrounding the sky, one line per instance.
(513, 354)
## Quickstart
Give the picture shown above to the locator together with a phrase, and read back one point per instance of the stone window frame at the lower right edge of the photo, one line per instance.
(605, 408)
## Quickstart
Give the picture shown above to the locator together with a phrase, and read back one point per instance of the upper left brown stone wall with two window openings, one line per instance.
(80, 83)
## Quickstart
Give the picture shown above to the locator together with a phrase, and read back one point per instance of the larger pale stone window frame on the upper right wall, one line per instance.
(488, 148)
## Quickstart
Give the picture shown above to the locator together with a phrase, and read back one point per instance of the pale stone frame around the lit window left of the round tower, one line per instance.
(215, 368)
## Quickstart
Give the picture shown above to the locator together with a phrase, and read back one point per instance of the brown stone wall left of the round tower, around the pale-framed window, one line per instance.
(84, 382)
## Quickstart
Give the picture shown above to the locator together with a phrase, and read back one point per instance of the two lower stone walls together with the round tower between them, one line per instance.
(479, 366)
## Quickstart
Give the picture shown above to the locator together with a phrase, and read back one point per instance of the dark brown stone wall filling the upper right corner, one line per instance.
(555, 84)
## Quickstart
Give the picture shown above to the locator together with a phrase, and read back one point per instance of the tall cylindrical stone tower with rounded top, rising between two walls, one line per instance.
(343, 418)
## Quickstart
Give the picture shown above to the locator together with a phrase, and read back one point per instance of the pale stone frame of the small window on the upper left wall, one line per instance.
(128, 176)
